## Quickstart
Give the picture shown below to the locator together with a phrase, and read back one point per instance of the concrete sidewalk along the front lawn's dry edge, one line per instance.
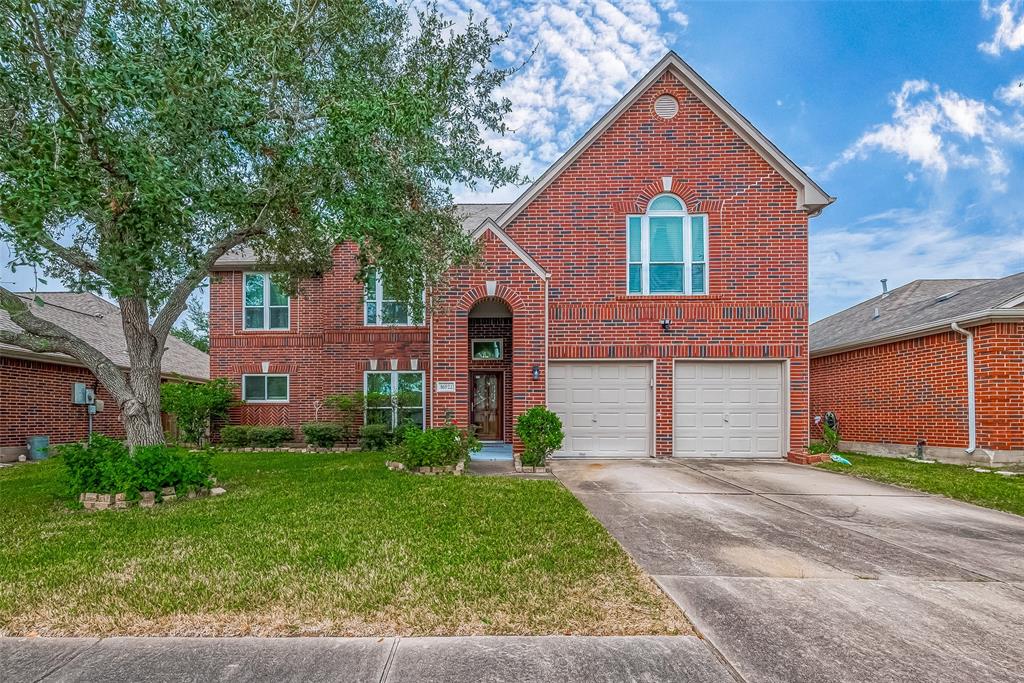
(482, 659)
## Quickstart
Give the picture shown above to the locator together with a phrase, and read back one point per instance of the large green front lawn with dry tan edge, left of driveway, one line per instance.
(327, 544)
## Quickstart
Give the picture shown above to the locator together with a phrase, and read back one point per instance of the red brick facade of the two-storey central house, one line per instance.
(576, 230)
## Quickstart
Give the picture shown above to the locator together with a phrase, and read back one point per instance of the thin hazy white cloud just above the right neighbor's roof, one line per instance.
(904, 245)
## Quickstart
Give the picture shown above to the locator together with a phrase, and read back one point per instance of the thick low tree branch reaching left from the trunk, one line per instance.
(42, 336)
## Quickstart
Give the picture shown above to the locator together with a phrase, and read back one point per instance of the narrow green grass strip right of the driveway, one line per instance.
(959, 482)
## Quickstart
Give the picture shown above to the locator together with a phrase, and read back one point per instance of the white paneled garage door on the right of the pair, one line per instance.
(729, 410)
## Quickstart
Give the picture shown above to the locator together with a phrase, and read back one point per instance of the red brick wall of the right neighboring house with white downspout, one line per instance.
(906, 392)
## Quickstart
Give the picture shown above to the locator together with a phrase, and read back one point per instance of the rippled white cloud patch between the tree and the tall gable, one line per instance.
(586, 55)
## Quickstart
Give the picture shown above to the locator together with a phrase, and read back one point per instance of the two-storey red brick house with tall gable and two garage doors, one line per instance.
(651, 288)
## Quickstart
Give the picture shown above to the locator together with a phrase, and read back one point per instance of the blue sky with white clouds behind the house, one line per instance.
(910, 113)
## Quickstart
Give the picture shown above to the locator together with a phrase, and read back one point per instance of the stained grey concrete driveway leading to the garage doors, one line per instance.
(795, 574)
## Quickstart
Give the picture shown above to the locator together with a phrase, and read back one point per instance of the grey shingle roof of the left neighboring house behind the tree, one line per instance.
(99, 323)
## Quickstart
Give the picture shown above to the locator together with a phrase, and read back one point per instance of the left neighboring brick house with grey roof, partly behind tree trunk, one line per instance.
(36, 389)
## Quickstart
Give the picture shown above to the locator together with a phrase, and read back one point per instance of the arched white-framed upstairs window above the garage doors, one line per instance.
(667, 250)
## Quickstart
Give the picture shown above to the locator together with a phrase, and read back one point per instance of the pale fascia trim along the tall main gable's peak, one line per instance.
(810, 197)
